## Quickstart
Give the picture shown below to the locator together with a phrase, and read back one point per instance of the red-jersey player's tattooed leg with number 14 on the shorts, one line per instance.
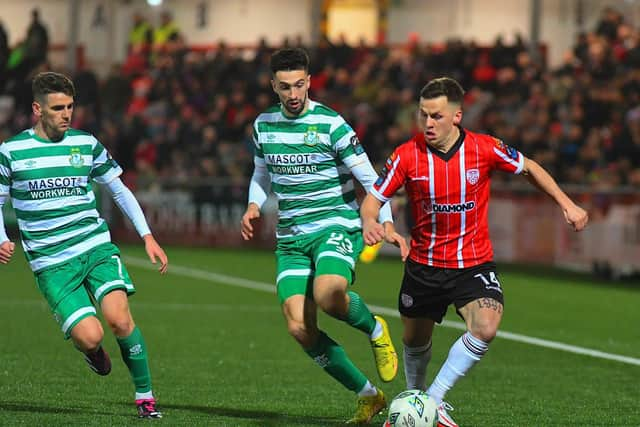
(479, 301)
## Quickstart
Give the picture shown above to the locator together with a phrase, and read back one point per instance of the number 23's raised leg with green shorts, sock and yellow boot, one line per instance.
(335, 258)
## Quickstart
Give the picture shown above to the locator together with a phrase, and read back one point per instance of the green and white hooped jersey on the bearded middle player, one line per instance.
(309, 160)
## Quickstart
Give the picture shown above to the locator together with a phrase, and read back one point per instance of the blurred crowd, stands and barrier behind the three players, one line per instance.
(171, 89)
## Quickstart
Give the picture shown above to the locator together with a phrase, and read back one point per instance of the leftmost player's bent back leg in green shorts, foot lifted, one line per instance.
(73, 309)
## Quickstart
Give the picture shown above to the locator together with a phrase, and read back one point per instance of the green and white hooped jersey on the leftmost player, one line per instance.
(50, 188)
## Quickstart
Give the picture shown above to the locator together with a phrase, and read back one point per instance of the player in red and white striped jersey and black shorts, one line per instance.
(446, 172)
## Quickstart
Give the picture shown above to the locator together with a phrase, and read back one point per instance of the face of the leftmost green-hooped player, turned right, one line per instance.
(54, 114)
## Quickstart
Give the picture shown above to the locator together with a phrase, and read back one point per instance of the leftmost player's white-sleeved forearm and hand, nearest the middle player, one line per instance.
(128, 204)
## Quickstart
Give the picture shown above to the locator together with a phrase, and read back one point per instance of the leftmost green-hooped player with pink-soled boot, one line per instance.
(47, 172)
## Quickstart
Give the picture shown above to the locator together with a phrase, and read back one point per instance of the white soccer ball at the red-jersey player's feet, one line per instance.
(412, 408)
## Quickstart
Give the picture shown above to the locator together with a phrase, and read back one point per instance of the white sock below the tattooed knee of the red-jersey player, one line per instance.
(464, 353)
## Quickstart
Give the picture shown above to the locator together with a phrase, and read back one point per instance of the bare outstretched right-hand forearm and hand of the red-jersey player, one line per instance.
(539, 177)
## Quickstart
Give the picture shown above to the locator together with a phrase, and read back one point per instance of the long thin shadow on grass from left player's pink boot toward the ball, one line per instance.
(266, 418)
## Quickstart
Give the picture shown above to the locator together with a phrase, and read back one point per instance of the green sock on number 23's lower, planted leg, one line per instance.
(332, 358)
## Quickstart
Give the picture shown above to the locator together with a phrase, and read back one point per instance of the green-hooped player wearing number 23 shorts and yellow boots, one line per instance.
(307, 155)
